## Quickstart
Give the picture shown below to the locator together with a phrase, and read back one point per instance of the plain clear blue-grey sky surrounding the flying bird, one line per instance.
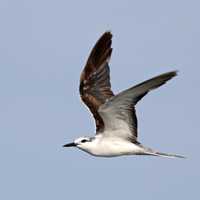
(44, 45)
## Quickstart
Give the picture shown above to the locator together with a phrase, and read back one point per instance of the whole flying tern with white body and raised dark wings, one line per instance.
(115, 115)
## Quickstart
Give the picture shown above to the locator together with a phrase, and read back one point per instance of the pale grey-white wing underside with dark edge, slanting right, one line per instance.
(118, 113)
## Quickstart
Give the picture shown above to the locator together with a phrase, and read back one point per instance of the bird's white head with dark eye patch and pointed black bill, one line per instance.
(81, 142)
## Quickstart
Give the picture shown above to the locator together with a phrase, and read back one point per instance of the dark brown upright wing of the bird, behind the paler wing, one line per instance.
(95, 87)
